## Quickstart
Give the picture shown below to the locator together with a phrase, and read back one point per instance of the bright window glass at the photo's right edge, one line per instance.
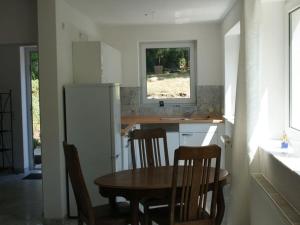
(294, 18)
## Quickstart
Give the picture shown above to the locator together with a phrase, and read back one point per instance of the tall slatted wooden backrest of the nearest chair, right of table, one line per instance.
(195, 176)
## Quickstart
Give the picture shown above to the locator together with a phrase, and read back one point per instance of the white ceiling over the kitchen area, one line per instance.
(152, 11)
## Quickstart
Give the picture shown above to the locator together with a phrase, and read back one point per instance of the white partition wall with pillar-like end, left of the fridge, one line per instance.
(59, 25)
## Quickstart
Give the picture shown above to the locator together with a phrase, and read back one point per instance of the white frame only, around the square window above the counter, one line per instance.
(143, 77)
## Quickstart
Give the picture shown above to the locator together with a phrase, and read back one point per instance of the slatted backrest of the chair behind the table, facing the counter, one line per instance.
(146, 148)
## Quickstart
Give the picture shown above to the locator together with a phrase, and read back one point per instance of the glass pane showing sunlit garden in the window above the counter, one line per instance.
(168, 73)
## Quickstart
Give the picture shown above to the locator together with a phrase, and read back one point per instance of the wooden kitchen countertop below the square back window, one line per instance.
(132, 120)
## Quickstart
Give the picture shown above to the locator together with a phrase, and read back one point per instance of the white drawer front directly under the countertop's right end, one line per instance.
(200, 128)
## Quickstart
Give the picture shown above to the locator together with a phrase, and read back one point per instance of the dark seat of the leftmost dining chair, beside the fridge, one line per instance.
(108, 215)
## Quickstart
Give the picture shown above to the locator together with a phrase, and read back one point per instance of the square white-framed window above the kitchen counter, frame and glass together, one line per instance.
(168, 72)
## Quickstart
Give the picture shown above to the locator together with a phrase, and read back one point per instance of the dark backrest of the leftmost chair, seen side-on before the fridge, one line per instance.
(84, 204)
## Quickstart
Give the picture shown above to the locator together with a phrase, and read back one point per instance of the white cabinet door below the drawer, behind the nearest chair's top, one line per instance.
(198, 139)
